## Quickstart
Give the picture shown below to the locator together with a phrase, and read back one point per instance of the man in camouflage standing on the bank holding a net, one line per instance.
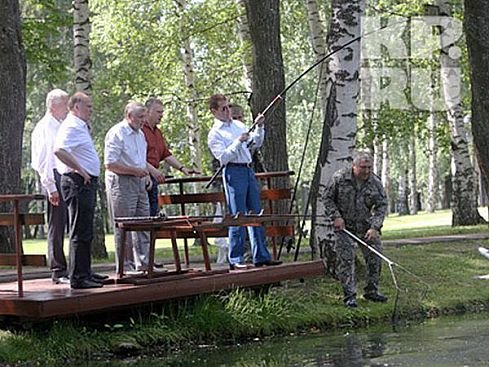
(355, 199)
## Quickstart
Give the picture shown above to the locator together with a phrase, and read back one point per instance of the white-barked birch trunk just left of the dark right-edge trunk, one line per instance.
(464, 193)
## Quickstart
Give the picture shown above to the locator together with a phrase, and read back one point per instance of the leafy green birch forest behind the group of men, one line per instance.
(184, 51)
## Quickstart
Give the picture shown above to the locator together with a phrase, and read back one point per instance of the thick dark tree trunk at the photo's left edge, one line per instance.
(12, 111)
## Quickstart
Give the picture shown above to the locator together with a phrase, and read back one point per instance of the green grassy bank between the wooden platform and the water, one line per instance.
(446, 285)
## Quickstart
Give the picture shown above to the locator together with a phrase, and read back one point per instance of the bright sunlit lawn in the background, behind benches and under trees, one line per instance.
(395, 227)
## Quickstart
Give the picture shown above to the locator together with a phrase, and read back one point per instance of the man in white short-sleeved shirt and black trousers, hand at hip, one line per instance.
(79, 165)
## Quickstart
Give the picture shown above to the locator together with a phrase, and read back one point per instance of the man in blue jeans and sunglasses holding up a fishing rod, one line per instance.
(230, 142)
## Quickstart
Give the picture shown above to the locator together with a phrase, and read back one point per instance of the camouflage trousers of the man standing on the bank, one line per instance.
(345, 249)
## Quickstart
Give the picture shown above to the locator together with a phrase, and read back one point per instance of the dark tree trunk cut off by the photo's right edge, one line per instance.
(476, 26)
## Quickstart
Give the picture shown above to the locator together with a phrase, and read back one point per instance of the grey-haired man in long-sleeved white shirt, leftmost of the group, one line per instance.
(43, 161)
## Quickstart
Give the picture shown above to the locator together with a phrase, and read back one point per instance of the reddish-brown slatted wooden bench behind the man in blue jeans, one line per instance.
(184, 198)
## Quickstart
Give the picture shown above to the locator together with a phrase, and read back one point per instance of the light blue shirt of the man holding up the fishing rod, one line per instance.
(223, 141)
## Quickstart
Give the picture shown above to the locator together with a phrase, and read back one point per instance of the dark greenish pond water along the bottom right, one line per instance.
(447, 341)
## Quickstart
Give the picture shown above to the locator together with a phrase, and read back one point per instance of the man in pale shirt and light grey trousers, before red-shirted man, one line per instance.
(127, 179)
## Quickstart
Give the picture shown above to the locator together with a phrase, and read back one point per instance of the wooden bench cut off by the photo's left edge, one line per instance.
(17, 219)
